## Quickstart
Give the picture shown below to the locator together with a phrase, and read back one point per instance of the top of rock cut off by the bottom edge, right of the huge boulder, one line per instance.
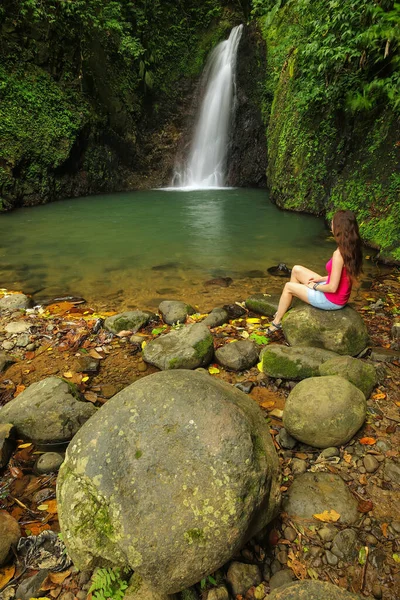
(312, 590)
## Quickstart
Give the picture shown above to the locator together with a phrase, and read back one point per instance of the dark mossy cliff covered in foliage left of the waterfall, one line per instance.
(92, 97)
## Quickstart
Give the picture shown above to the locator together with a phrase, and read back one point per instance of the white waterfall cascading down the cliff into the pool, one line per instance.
(205, 167)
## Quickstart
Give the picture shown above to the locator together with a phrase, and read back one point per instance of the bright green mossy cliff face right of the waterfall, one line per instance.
(333, 138)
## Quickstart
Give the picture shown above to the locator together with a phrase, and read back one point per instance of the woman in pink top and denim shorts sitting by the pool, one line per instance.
(333, 291)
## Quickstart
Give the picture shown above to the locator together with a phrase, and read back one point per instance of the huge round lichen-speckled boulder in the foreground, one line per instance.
(171, 477)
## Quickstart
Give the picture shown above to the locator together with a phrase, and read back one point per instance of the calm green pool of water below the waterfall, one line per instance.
(140, 246)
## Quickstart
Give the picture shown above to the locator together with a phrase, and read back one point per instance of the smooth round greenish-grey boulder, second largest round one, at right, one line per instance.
(324, 411)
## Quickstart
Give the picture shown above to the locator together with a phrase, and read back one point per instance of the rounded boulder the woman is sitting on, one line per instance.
(342, 331)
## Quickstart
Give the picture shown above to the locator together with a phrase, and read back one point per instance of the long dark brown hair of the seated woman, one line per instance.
(347, 236)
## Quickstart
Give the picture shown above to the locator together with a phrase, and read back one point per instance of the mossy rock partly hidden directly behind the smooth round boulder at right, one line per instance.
(359, 373)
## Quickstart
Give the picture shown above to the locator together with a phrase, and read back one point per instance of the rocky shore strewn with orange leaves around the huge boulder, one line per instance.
(339, 522)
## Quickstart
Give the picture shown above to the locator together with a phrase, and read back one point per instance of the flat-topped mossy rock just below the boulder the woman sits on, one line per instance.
(292, 362)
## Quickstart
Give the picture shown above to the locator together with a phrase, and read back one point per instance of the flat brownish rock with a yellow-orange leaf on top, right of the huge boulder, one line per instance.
(312, 493)
